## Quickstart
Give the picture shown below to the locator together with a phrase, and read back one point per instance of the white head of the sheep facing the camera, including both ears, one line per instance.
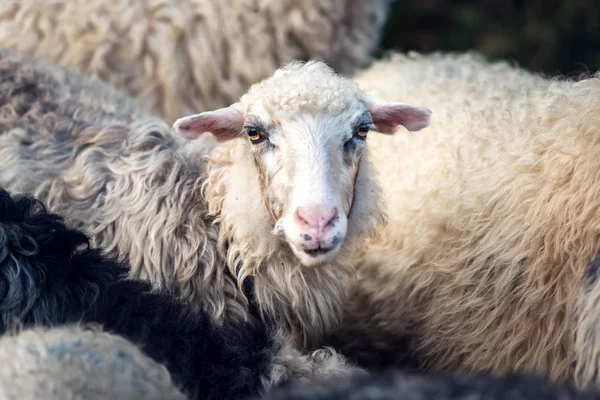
(305, 129)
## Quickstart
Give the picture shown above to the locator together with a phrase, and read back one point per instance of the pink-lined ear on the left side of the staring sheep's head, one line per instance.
(225, 123)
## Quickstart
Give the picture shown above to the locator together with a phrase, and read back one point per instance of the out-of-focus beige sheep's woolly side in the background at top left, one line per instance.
(176, 58)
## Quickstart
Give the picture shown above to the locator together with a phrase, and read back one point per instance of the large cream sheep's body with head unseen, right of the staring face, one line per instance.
(493, 212)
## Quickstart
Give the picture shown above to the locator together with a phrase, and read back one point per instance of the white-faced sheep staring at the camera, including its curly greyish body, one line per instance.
(144, 192)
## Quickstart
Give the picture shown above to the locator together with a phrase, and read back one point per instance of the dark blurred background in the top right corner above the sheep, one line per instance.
(546, 36)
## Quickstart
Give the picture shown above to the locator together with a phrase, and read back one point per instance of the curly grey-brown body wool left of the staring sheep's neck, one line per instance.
(123, 178)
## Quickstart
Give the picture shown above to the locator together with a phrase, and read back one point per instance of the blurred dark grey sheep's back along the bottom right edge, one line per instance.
(393, 384)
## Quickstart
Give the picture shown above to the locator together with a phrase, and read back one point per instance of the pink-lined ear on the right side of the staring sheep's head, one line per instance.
(388, 115)
